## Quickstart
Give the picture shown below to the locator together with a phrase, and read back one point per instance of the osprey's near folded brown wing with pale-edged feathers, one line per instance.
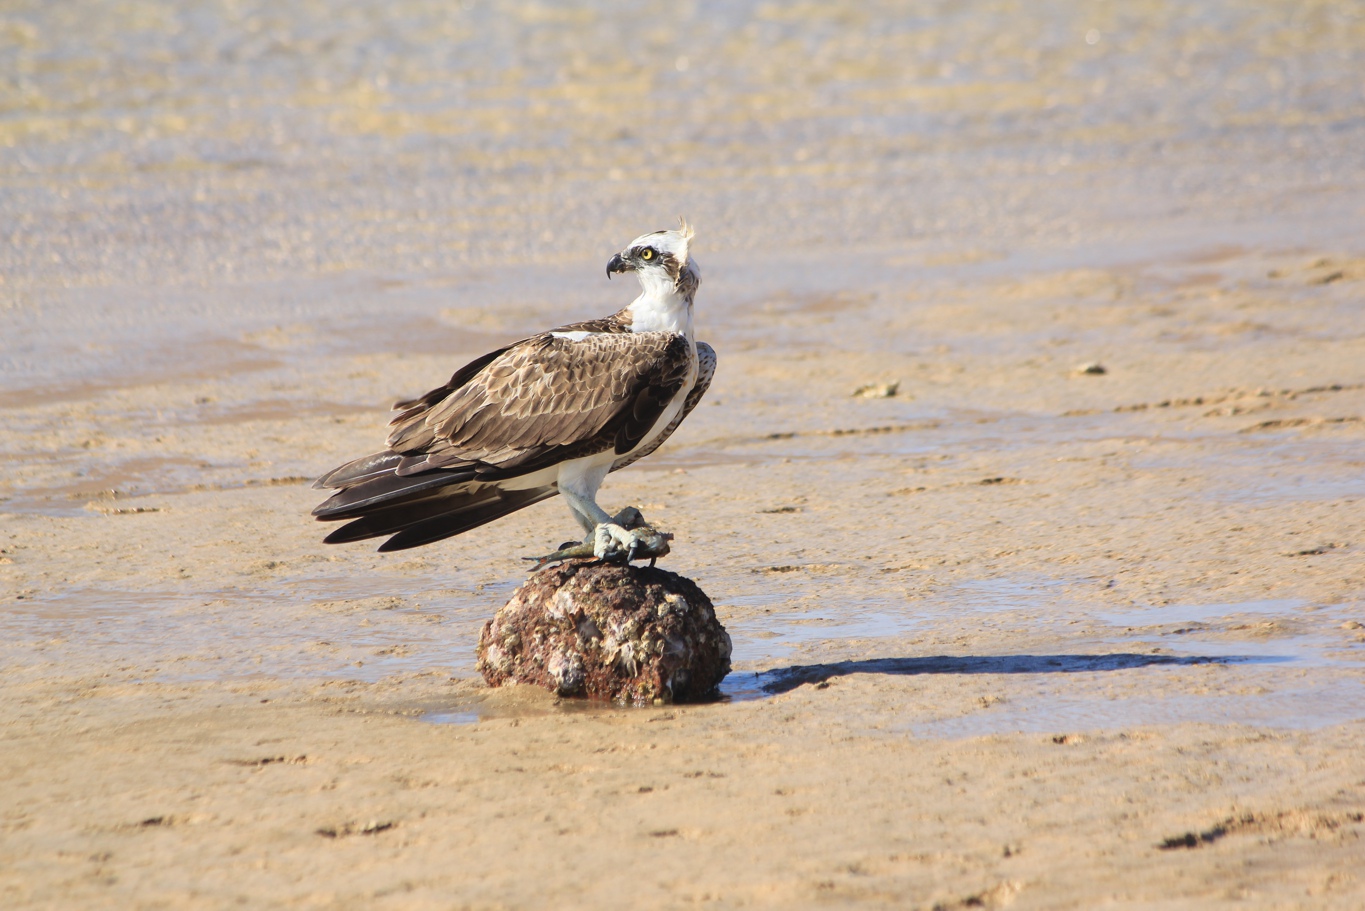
(543, 401)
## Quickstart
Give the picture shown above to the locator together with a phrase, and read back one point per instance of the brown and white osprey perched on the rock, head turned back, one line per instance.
(551, 415)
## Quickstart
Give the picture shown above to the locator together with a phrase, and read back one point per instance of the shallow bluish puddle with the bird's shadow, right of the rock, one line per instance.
(1143, 637)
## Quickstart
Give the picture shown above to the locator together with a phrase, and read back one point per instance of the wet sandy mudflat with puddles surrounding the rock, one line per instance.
(1015, 636)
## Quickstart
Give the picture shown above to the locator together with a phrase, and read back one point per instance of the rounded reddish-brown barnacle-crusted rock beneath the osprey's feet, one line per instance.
(605, 632)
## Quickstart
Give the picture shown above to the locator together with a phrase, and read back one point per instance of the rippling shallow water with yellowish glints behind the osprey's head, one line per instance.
(154, 154)
